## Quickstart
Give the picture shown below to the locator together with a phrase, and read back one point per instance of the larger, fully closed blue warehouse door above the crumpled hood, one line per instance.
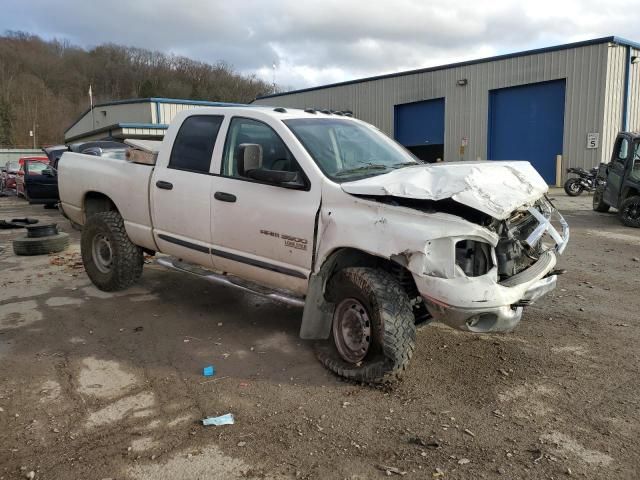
(527, 123)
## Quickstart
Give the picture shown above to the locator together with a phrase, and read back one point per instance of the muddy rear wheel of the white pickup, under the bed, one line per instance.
(111, 260)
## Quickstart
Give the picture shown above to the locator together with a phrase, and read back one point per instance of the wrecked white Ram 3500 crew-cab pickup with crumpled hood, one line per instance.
(323, 211)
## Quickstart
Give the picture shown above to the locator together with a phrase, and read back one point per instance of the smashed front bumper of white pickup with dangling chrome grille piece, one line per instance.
(483, 305)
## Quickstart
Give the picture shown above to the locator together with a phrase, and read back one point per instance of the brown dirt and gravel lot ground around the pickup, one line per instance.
(96, 385)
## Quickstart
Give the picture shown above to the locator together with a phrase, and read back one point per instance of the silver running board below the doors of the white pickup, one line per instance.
(231, 281)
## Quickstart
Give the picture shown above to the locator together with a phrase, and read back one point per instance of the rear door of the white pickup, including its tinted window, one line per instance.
(181, 191)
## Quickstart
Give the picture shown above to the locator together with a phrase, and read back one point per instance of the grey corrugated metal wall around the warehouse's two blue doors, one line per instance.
(466, 107)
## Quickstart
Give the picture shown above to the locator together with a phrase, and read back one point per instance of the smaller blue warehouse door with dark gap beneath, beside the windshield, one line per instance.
(419, 126)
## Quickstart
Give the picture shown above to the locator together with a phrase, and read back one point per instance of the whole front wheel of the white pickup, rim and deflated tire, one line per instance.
(373, 331)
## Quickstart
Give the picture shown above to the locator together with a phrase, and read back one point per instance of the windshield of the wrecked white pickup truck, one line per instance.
(346, 150)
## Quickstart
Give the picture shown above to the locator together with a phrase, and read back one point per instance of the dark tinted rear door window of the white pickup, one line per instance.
(193, 146)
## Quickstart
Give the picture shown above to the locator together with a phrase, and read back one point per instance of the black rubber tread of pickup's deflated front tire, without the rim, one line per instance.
(392, 320)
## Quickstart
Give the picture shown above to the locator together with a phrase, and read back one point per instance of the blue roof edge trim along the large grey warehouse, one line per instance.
(566, 46)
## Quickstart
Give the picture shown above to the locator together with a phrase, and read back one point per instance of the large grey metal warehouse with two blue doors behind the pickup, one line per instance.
(568, 100)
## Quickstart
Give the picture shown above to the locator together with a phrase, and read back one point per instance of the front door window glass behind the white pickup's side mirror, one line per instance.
(275, 154)
